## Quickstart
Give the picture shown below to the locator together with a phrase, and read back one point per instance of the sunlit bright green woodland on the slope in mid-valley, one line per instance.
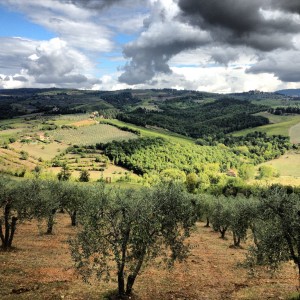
(146, 155)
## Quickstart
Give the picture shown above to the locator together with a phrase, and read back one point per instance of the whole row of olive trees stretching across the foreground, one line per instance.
(124, 230)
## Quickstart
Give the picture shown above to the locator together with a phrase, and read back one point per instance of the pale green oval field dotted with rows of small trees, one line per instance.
(100, 133)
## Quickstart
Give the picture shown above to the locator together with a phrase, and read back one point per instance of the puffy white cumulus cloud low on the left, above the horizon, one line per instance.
(44, 63)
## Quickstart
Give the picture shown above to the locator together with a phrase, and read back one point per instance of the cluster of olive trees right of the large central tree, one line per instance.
(271, 219)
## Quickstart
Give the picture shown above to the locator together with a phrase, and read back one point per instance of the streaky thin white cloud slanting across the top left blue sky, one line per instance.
(73, 24)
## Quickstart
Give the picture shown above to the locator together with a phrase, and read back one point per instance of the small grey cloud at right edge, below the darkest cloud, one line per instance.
(285, 66)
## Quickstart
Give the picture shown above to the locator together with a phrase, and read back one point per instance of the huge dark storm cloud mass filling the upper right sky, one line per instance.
(222, 30)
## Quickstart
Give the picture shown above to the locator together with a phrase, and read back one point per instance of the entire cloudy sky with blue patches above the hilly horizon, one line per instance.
(219, 46)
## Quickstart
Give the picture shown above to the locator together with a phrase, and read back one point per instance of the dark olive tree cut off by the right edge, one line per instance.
(277, 230)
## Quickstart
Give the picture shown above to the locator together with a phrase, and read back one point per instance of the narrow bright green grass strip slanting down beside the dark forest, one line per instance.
(153, 132)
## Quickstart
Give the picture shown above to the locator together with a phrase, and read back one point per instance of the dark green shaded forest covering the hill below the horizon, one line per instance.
(196, 119)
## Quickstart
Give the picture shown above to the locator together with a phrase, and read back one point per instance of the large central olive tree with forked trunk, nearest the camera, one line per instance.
(123, 230)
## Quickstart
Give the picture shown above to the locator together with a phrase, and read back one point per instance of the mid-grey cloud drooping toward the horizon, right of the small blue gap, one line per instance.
(152, 51)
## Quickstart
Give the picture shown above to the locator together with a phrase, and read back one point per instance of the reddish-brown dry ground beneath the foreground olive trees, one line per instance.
(40, 268)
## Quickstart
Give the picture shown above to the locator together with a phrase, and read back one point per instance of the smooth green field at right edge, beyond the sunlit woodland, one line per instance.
(280, 125)
